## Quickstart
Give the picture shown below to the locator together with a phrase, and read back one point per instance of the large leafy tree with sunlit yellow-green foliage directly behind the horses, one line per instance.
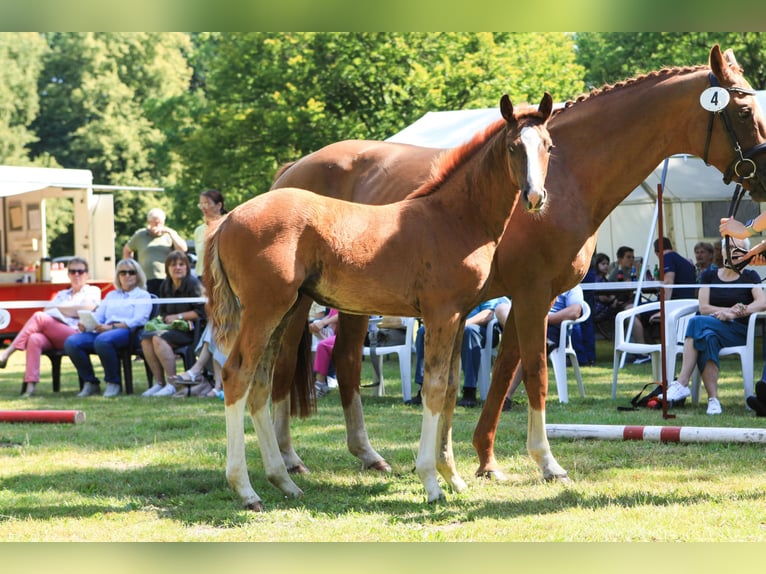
(271, 98)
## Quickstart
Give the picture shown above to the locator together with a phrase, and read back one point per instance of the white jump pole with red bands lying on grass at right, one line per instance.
(656, 433)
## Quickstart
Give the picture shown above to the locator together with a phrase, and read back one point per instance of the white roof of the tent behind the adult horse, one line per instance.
(688, 178)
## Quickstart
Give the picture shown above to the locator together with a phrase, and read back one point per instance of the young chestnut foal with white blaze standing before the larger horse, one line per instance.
(430, 254)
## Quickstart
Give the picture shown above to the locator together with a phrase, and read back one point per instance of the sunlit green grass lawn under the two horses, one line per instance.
(153, 470)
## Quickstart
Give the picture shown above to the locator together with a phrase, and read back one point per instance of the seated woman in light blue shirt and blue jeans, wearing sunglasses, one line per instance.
(122, 310)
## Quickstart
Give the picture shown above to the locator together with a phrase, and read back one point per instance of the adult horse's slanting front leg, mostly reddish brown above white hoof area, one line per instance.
(502, 374)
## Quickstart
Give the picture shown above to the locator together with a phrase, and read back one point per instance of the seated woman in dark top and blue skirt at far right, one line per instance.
(722, 322)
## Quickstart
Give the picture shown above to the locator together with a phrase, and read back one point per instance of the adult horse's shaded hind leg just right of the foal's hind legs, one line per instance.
(284, 377)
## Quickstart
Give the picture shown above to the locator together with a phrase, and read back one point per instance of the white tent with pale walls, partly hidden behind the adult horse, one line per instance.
(688, 185)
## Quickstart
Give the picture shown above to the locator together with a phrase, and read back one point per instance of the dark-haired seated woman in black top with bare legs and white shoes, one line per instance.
(159, 346)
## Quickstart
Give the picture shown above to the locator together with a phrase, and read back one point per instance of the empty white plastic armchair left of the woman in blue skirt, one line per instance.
(675, 309)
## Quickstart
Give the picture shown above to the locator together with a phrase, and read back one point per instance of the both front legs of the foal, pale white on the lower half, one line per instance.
(439, 348)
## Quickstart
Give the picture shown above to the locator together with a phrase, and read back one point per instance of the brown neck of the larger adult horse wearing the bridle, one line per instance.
(611, 144)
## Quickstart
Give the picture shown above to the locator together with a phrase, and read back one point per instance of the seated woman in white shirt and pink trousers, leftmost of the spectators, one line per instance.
(49, 329)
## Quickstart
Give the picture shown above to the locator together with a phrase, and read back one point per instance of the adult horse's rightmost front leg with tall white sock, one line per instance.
(535, 367)
